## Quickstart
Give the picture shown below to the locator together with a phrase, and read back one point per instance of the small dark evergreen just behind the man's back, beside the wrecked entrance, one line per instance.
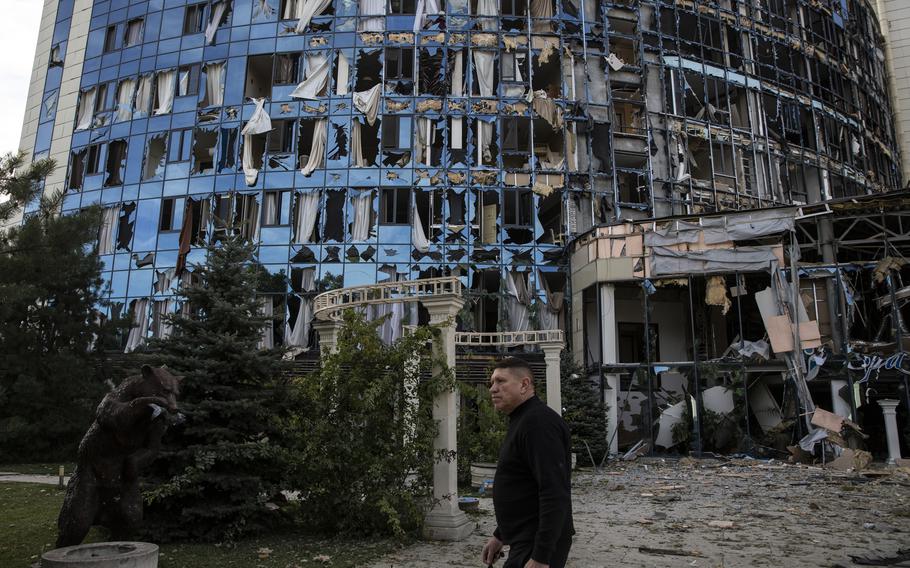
(585, 413)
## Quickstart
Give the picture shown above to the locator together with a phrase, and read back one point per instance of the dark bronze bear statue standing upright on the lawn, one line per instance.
(121, 442)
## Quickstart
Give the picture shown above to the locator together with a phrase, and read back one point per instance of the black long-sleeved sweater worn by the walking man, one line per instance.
(532, 487)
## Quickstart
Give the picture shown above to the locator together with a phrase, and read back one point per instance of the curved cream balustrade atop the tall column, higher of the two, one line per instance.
(330, 305)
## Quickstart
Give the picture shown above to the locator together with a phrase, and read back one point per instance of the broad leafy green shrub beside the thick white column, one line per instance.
(364, 448)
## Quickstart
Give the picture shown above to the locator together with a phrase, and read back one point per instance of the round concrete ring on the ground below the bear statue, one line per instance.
(103, 555)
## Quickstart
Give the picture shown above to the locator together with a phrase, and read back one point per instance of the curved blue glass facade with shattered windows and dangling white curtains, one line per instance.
(502, 129)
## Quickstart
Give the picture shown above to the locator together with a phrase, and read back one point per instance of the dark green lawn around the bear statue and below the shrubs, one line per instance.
(28, 527)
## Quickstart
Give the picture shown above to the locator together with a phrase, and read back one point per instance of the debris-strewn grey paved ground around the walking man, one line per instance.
(717, 514)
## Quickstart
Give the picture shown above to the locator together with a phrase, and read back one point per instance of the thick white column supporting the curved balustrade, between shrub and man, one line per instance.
(445, 521)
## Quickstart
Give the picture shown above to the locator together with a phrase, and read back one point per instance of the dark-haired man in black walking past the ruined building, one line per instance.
(532, 488)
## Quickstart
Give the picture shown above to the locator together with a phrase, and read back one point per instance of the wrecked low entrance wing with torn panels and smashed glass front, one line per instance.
(776, 332)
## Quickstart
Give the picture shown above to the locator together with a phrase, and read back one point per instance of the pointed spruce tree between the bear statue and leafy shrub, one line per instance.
(221, 470)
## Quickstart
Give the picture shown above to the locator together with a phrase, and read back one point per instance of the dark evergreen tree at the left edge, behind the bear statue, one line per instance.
(50, 300)
